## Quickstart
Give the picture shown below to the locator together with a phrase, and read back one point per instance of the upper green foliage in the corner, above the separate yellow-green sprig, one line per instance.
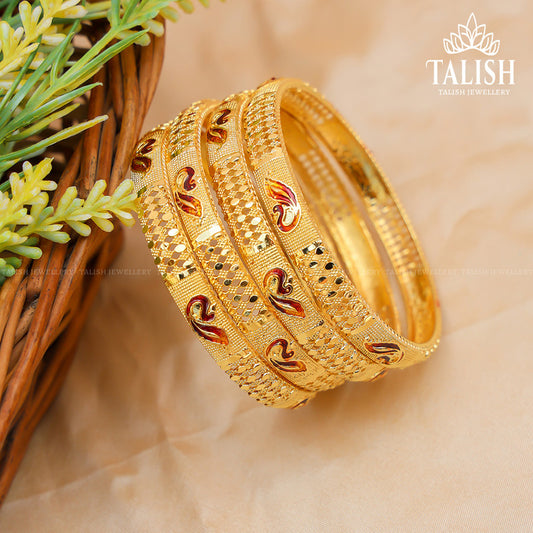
(38, 81)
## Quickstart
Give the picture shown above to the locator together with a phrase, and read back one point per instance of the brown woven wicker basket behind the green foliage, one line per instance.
(44, 305)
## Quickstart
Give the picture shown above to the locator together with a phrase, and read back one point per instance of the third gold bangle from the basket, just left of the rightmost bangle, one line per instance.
(262, 253)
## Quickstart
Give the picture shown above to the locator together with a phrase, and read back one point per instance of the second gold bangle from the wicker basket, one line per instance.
(218, 258)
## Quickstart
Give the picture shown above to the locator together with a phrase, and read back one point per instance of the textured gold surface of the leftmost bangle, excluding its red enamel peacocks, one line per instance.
(184, 277)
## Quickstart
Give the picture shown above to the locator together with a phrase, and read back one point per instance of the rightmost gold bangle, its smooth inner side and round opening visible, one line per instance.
(302, 241)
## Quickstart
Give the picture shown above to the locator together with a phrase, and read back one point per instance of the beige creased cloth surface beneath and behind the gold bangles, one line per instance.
(148, 435)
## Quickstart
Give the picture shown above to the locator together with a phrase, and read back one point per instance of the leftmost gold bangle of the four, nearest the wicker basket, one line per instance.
(189, 286)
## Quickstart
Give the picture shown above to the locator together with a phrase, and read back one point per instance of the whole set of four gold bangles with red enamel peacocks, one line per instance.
(276, 233)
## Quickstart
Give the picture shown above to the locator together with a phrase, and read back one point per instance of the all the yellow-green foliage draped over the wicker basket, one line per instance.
(40, 82)
